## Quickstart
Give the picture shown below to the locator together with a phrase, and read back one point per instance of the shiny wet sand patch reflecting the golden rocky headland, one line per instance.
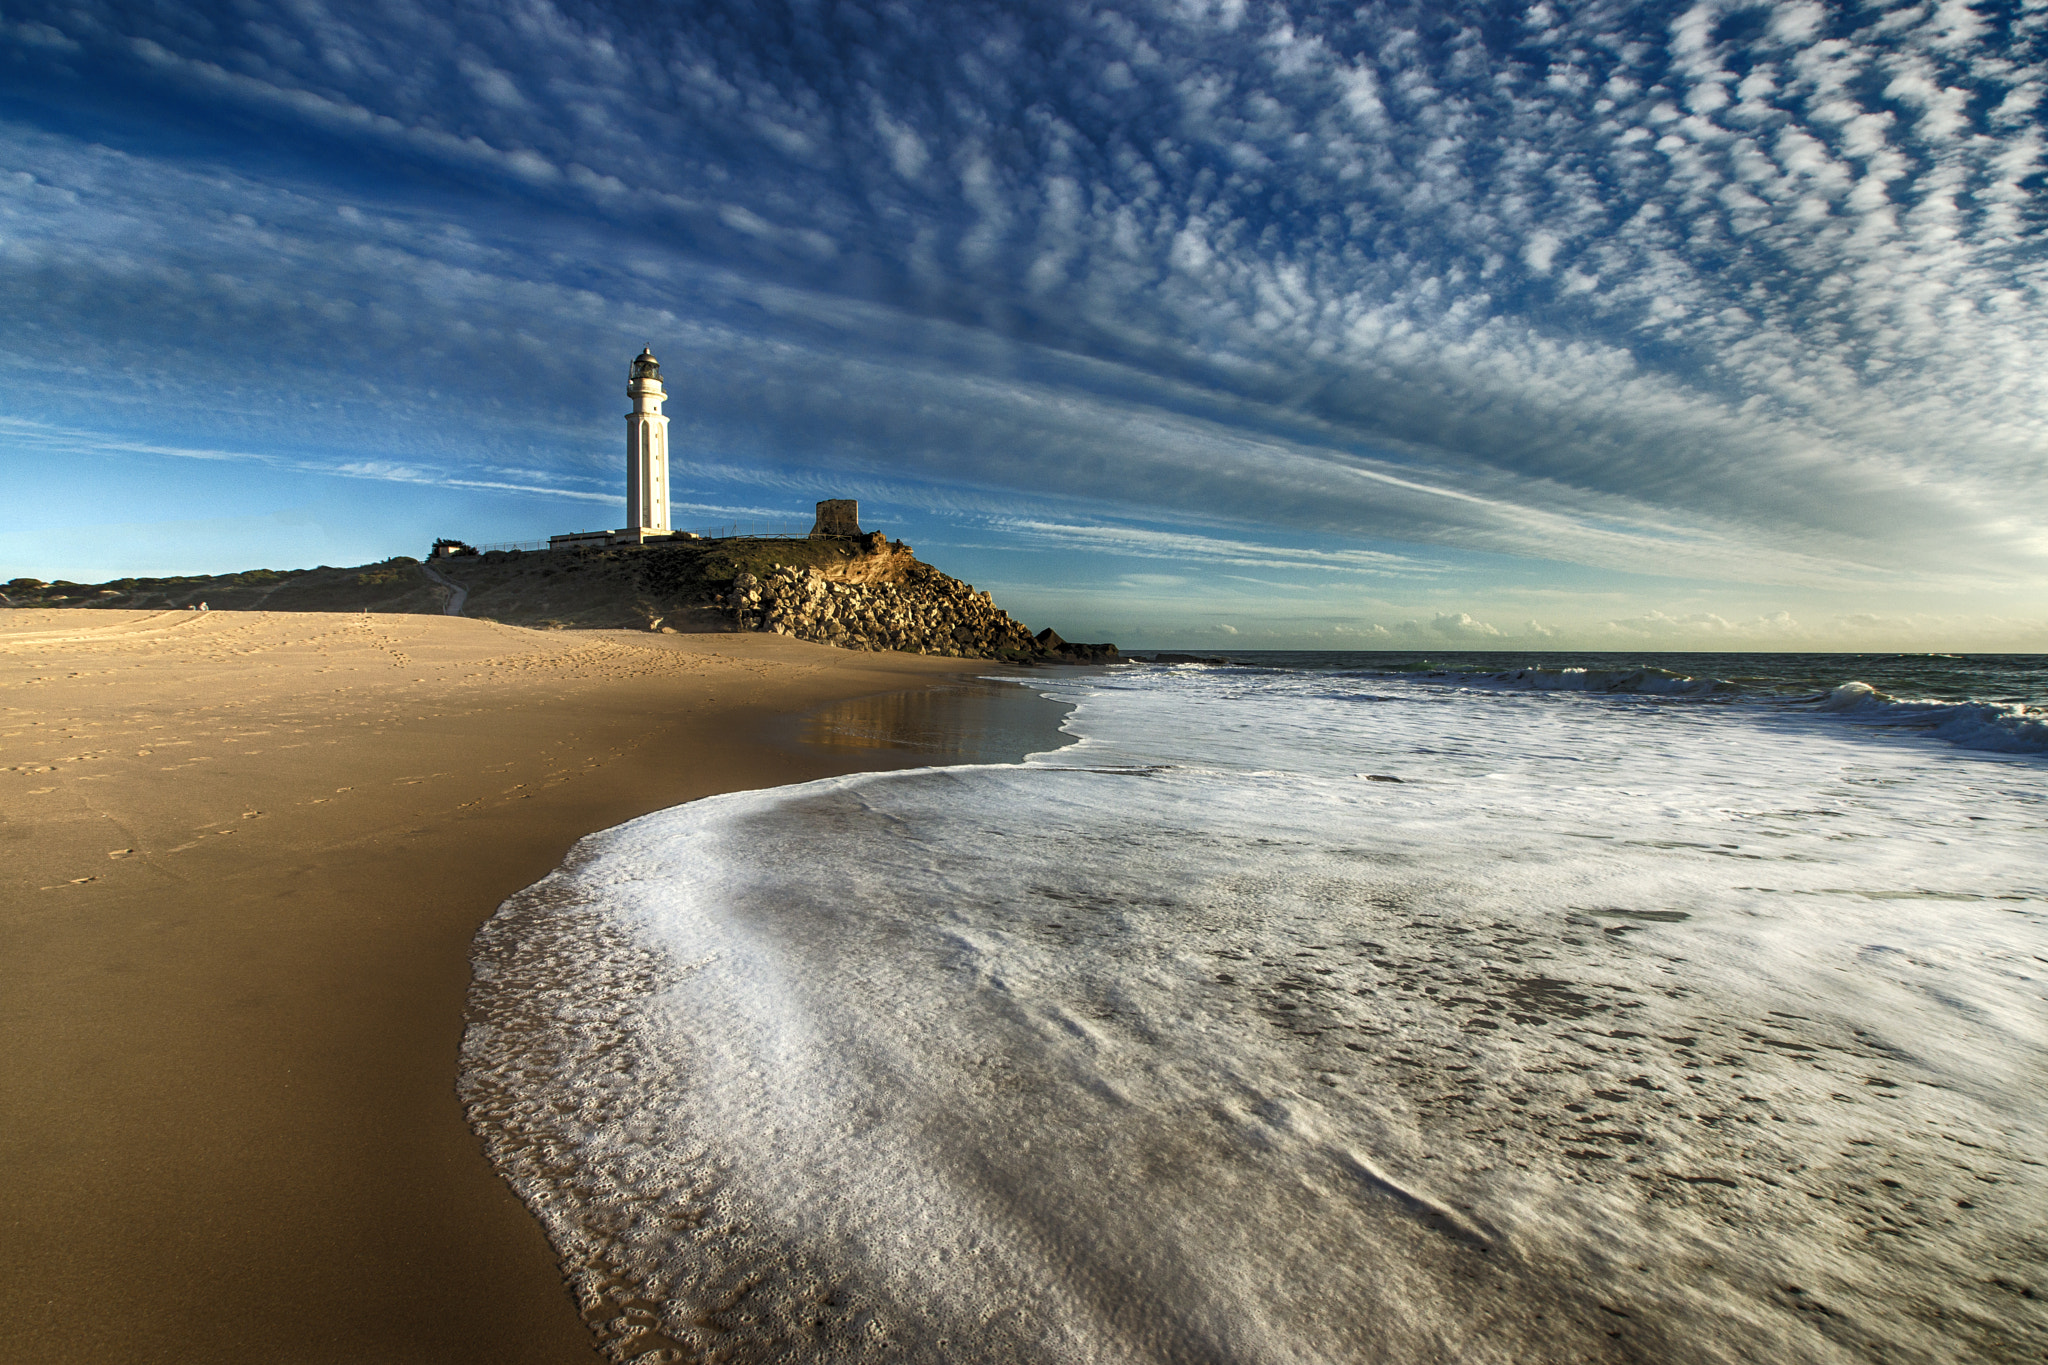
(978, 721)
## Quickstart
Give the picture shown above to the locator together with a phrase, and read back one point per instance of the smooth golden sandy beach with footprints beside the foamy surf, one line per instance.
(245, 858)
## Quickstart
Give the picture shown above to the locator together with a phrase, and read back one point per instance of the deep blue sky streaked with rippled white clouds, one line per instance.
(1179, 322)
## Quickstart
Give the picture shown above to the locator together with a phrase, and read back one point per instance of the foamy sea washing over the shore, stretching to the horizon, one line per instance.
(1318, 1008)
